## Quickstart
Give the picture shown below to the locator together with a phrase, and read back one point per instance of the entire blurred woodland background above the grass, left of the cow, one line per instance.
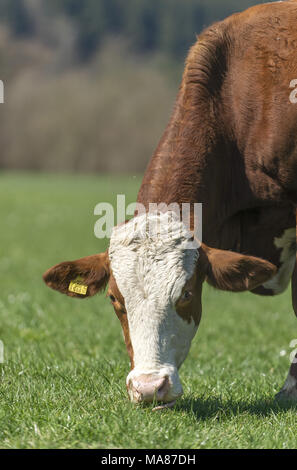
(89, 85)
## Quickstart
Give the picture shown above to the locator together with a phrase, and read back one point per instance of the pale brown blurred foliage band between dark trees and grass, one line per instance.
(103, 117)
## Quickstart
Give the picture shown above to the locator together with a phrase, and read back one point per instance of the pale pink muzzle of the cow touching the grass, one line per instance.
(148, 388)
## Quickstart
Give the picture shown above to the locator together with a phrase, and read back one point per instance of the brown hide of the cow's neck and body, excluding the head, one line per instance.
(231, 143)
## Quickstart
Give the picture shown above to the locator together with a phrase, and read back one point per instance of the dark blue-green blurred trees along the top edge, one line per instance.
(167, 26)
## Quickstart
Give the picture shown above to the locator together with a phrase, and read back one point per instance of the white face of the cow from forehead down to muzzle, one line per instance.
(151, 265)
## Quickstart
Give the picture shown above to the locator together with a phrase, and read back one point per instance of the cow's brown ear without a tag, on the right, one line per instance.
(234, 272)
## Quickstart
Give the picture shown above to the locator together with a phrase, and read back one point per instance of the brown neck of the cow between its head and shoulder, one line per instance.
(201, 158)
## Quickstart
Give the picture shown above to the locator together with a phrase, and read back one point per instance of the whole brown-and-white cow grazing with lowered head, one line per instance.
(231, 144)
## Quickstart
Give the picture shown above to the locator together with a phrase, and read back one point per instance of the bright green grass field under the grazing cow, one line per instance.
(63, 379)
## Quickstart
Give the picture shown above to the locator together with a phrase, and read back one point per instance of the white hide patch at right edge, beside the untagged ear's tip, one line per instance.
(287, 243)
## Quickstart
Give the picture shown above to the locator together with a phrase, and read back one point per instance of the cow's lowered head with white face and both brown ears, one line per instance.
(155, 284)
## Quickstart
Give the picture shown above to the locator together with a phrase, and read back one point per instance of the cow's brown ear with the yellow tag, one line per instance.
(82, 278)
